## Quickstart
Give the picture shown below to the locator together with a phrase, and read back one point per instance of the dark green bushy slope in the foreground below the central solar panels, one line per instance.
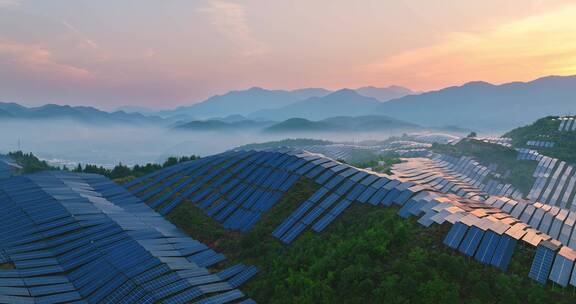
(368, 255)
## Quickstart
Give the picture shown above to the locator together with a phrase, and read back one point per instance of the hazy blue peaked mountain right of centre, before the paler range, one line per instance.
(345, 102)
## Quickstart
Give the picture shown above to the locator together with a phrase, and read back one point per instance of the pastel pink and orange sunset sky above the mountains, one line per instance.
(163, 54)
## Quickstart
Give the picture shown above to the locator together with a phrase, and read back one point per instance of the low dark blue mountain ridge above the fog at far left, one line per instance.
(13, 111)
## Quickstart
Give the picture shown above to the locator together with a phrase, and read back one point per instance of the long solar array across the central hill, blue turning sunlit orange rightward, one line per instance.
(484, 227)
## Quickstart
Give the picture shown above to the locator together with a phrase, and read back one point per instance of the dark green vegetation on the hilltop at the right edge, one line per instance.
(546, 129)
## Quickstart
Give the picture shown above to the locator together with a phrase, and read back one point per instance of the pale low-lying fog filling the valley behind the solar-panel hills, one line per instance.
(69, 143)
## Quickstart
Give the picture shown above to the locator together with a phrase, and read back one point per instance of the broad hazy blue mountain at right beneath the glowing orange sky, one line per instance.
(485, 106)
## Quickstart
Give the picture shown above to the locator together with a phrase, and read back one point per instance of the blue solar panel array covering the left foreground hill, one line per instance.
(81, 238)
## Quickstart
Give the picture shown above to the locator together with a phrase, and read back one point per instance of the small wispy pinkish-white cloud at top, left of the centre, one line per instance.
(230, 20)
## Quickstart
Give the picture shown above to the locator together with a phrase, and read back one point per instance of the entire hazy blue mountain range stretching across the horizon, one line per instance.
(475, 105)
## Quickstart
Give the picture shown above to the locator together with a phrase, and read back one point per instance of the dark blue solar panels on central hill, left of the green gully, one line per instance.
(235, 188)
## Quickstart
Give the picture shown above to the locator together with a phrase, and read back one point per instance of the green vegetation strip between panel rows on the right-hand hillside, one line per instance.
(517, 173)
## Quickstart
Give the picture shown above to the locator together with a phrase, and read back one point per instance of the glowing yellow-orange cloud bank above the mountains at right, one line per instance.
(523, 49)
